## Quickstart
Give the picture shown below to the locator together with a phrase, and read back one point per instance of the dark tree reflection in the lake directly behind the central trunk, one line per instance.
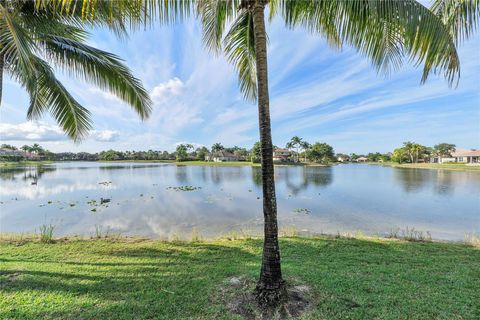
(304, 176)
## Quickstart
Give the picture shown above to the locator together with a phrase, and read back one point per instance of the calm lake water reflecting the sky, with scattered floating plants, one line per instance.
(145, 199)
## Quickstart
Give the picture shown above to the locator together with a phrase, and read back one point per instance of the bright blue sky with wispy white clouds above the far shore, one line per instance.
(318, 93)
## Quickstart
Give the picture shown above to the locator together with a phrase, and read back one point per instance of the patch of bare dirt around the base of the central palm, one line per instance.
(238, 296)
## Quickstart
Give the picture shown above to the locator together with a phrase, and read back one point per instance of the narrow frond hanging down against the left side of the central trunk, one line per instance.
(239, 46)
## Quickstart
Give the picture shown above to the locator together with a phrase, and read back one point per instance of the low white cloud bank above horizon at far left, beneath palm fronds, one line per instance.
(31, 131)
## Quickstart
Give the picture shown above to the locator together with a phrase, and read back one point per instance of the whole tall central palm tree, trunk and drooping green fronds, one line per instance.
(386, 31)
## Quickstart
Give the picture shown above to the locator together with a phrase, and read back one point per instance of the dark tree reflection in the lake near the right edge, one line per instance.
(414, 180)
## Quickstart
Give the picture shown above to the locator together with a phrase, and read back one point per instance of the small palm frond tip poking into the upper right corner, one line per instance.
(460, 16)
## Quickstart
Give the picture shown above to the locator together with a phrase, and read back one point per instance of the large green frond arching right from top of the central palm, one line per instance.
(385, 31)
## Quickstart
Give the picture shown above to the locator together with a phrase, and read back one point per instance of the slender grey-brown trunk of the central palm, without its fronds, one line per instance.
(270, 286)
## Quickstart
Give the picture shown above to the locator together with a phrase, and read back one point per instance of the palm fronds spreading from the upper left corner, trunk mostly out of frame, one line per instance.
(32, 39)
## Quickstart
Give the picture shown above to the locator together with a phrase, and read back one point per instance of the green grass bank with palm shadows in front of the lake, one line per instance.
(122, 279)
